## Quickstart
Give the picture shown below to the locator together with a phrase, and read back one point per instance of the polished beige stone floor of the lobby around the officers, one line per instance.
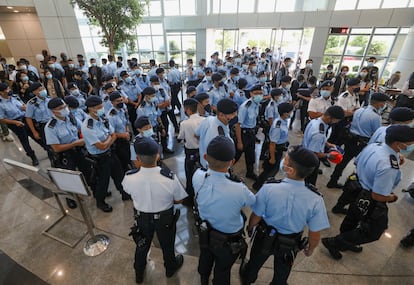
(26, 209)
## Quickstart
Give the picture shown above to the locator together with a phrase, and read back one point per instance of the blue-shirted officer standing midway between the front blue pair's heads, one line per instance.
(246, 129)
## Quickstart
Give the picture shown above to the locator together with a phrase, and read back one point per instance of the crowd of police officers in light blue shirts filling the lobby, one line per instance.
(120, 130)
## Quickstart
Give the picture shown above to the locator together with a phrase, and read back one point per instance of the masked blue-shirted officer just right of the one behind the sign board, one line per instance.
(99, 136)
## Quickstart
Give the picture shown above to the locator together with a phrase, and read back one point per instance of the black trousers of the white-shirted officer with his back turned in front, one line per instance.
(164, 226)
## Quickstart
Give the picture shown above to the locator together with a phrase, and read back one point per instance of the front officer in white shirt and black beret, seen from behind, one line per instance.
(154, 192)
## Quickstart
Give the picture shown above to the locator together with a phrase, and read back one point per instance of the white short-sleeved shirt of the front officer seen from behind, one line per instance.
(151, 191)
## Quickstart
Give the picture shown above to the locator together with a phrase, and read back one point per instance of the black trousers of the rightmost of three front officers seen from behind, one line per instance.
(283, 262)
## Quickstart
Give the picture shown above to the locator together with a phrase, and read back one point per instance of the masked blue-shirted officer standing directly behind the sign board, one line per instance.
(62, 135)
